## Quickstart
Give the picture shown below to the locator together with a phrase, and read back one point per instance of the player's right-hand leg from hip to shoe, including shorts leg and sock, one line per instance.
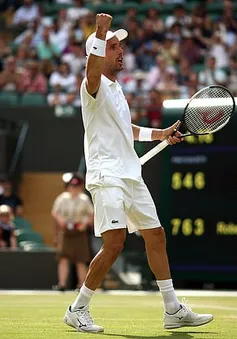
(143, 213)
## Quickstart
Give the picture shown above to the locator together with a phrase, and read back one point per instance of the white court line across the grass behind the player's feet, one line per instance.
(180, 293)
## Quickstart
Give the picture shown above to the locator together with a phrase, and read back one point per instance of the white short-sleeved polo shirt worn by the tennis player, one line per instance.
(108, 141)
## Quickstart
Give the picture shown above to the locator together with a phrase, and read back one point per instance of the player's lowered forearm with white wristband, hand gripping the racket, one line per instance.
(152, 134)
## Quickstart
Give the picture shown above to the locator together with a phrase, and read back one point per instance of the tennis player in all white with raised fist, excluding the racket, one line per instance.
(120, 196)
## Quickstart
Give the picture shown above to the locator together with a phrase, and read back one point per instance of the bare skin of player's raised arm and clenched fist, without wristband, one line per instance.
(95, 64)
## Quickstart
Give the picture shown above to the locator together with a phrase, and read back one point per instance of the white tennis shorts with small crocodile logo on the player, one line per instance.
(123, 203)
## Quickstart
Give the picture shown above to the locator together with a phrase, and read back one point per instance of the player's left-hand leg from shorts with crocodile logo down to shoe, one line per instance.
(111, 225)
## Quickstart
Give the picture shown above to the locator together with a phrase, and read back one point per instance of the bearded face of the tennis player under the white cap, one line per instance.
(114, 55)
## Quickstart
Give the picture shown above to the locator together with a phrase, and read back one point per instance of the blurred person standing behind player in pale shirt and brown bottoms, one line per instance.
(73, 213)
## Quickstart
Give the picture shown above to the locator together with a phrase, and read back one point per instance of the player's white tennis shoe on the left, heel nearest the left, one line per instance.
(81, 320)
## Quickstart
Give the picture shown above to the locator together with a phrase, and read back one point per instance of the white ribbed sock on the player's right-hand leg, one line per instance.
(171, 303)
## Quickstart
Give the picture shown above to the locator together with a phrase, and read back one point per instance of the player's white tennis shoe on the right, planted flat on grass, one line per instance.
(185, 317)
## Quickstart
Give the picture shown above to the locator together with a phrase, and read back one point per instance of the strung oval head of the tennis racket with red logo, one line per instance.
(208, 110)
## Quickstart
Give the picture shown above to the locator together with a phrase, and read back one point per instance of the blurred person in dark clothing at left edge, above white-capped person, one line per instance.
(8, 197)
